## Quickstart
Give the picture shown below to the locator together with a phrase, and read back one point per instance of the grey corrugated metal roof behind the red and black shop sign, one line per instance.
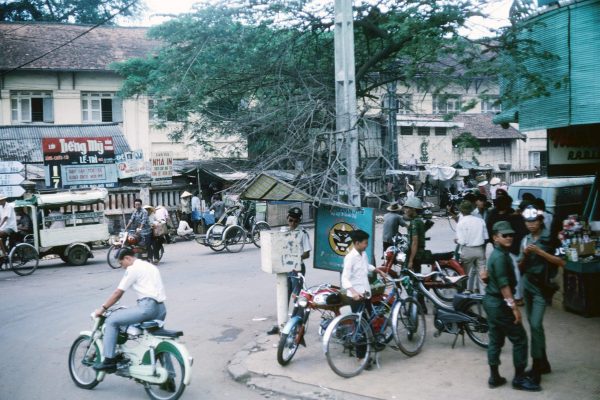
(24, 142)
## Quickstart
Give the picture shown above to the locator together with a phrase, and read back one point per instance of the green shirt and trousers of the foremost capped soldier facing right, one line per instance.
(500, 316)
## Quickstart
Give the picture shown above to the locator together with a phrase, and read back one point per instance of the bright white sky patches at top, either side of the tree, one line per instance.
(496, 9)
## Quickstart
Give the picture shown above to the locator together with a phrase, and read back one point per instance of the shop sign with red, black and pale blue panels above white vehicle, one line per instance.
(86, 161)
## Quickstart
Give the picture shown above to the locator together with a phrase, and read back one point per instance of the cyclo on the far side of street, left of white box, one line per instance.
(236, 227)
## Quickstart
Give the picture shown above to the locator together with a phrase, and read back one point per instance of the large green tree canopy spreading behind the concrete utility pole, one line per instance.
(266, 72)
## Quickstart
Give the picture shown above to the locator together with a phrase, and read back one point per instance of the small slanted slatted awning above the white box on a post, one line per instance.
(266, 187)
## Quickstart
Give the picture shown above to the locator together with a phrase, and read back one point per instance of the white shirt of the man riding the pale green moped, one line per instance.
(144, 279)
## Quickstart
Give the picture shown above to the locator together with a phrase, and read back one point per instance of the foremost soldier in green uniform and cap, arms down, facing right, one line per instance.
(504, 317)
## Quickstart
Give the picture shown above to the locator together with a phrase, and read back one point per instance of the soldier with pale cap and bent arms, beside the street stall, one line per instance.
(537, 264)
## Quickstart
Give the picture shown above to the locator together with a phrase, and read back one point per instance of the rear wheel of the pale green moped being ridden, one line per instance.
(173, 388)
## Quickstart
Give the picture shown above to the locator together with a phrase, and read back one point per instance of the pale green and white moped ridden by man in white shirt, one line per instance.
(146, 353)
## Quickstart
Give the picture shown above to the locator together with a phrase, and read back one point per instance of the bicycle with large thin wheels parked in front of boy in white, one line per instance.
(378, 320)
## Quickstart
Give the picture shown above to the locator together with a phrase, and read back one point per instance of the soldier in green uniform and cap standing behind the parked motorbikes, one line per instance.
(416, 239)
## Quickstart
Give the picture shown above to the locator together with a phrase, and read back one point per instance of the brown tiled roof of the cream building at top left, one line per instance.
(96, 50)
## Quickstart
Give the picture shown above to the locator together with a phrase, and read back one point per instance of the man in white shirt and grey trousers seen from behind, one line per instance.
(471, 236)
